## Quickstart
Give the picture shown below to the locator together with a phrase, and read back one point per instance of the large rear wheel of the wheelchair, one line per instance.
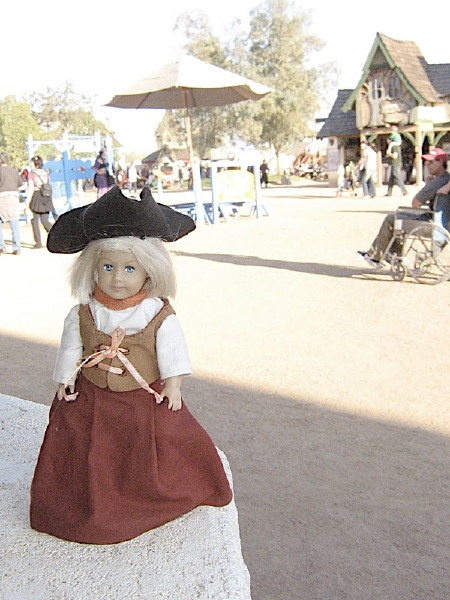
(426, 253)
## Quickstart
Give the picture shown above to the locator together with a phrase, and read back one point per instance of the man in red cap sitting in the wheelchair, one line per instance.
(436, 182)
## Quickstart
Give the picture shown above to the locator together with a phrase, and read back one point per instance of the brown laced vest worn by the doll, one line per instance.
(141, 348)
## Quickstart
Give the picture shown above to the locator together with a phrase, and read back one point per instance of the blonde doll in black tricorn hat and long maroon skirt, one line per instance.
(121, 454)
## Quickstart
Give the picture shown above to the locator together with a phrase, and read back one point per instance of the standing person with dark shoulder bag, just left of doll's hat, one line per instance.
(41, 206)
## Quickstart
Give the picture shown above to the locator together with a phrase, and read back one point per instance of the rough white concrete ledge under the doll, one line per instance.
(197, 556)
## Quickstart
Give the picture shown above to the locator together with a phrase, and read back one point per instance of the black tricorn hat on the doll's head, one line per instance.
(115, 215)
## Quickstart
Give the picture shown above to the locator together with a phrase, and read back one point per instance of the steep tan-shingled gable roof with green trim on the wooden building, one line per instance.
(406, 59)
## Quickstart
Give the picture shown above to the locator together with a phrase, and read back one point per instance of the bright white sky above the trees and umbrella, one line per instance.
(104, 47)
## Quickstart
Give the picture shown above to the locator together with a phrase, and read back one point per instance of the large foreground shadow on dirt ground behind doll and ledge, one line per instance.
(371, 534)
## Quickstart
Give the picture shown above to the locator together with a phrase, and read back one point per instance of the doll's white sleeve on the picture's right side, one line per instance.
(171, 349)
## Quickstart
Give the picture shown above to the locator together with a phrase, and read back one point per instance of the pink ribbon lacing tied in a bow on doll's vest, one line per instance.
(112, 351)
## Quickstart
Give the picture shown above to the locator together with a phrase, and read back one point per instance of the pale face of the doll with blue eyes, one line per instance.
(119, 274)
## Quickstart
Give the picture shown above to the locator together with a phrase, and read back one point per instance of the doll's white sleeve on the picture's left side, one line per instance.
(70, 349)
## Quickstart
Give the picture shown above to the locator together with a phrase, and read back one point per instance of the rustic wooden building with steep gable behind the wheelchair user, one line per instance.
(397, 89)
